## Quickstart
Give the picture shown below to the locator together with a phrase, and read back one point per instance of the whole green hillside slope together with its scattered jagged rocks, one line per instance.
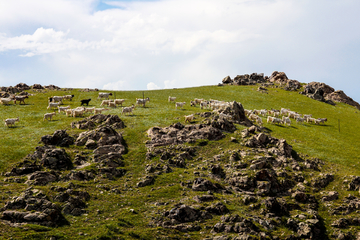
(223, 181)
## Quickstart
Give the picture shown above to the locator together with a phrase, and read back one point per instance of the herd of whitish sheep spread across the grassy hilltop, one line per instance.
(54, 103)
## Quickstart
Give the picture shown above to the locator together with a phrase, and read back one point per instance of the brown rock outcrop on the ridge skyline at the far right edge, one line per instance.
(325, 93)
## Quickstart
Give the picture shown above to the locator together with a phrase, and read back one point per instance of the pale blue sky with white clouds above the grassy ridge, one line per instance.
(157, 44)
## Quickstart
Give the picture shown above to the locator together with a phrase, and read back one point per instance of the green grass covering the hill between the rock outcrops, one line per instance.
(128, 213)
